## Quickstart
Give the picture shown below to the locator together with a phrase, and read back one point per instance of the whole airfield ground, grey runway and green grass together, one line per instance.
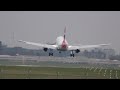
(57, 68)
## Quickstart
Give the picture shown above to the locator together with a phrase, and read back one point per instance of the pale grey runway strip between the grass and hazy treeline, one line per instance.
(47, 61)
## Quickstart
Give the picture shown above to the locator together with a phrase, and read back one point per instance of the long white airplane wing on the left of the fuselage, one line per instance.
(39, 44)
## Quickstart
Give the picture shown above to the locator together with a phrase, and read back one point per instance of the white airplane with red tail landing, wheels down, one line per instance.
(61, 44)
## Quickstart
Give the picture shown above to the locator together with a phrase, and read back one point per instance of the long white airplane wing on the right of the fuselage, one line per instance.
(86, 46)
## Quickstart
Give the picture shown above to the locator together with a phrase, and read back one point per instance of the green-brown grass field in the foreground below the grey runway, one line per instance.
(25, 72)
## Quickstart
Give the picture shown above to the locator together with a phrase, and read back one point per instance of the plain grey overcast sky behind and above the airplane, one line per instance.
(83, 27)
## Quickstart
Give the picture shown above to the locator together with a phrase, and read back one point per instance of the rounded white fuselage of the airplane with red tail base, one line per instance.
(61, 43)
